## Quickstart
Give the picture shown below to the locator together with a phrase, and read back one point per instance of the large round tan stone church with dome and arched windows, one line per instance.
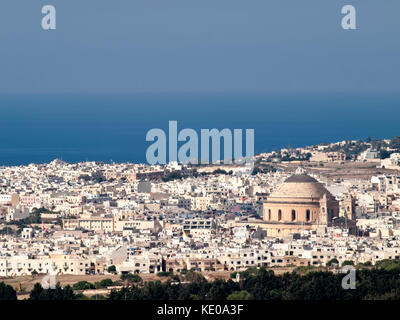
(299, 203)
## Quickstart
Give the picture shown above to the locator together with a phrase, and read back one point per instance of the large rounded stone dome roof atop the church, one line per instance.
(300, 186)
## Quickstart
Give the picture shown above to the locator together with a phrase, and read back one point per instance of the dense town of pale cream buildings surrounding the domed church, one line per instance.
(299, 207)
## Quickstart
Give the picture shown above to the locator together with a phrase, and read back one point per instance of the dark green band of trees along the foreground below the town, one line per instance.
(380, 282)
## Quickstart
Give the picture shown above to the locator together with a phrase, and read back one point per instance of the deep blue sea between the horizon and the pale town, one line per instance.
(38, 129)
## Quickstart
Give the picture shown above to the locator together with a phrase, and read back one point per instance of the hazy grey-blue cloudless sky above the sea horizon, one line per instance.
(128, 46)
